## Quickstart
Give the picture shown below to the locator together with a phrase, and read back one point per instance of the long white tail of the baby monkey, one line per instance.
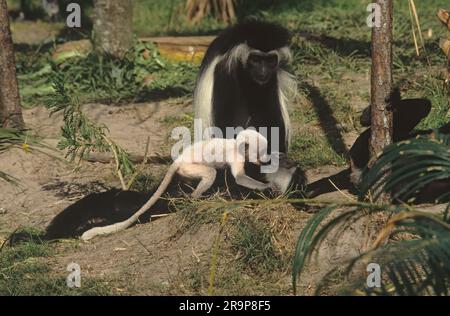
(96, 231)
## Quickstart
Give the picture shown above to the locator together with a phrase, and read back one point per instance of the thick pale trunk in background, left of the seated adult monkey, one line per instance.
(113, 32)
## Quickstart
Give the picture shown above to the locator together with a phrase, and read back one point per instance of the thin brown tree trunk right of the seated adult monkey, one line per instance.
(381, 82)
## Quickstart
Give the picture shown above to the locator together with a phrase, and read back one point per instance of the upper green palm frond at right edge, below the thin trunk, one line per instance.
(407, 167)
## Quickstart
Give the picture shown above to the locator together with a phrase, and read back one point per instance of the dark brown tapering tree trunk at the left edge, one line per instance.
(10, 110)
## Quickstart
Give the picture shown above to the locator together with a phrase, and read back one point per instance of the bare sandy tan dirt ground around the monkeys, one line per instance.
(152, 257)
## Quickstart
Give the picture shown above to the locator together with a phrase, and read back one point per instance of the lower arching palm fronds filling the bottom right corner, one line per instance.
(417, 262)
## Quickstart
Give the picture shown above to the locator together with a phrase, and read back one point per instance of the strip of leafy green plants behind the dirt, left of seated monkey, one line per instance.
(143, 75)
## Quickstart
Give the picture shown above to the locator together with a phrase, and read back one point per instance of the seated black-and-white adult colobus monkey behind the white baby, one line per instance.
(243, 81)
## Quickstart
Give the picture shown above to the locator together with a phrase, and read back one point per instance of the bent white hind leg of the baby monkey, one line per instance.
(205, 173)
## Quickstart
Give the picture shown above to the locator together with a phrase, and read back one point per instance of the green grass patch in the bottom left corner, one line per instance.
(24, 271)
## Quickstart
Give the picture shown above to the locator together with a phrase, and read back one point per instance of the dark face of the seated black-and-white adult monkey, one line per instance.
(262, 66)
